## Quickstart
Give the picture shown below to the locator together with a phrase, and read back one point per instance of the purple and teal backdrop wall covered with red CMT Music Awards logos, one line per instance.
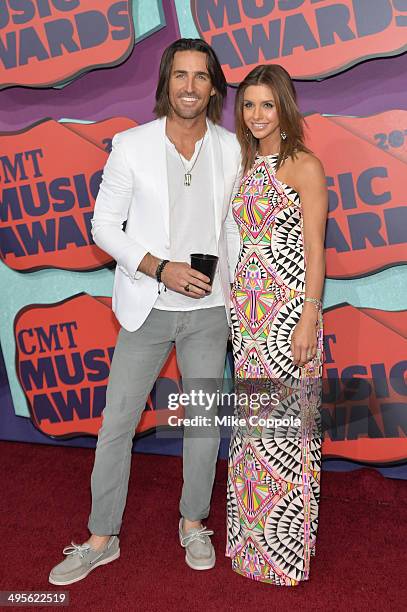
(75, 72)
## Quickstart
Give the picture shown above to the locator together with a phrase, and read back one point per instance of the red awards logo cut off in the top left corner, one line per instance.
(44, 42)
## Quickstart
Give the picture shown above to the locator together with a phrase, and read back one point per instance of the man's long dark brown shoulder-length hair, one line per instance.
(163, 107)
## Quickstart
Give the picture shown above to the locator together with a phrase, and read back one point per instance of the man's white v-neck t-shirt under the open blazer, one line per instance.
(192, 221)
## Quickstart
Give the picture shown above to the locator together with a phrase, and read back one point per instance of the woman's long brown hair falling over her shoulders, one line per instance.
(290, 119)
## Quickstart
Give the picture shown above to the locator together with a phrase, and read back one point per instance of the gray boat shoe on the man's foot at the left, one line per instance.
(81, 560)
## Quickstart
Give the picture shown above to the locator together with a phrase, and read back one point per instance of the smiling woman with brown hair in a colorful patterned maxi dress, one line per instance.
(280, 208)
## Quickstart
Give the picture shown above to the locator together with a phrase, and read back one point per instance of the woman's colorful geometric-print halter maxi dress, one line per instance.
(273, 477)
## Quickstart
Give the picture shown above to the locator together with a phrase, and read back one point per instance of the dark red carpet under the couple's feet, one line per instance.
(361, 550)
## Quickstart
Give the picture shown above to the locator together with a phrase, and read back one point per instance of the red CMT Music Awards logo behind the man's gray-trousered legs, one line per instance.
(63, 357)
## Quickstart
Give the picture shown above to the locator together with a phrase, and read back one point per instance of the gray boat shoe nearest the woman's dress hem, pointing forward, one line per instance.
(199, 552)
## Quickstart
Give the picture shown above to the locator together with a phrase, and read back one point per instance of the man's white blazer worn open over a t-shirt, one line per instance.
(134, 190)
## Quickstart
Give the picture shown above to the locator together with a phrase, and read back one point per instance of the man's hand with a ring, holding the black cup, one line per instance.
(177, 275)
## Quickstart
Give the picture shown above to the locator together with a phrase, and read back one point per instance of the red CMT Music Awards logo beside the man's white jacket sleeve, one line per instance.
(47, 200)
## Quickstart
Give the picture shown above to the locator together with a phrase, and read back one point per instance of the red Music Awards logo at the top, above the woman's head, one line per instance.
(310, 38)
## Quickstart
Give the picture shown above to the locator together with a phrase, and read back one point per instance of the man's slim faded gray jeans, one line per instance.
(200, 337)
